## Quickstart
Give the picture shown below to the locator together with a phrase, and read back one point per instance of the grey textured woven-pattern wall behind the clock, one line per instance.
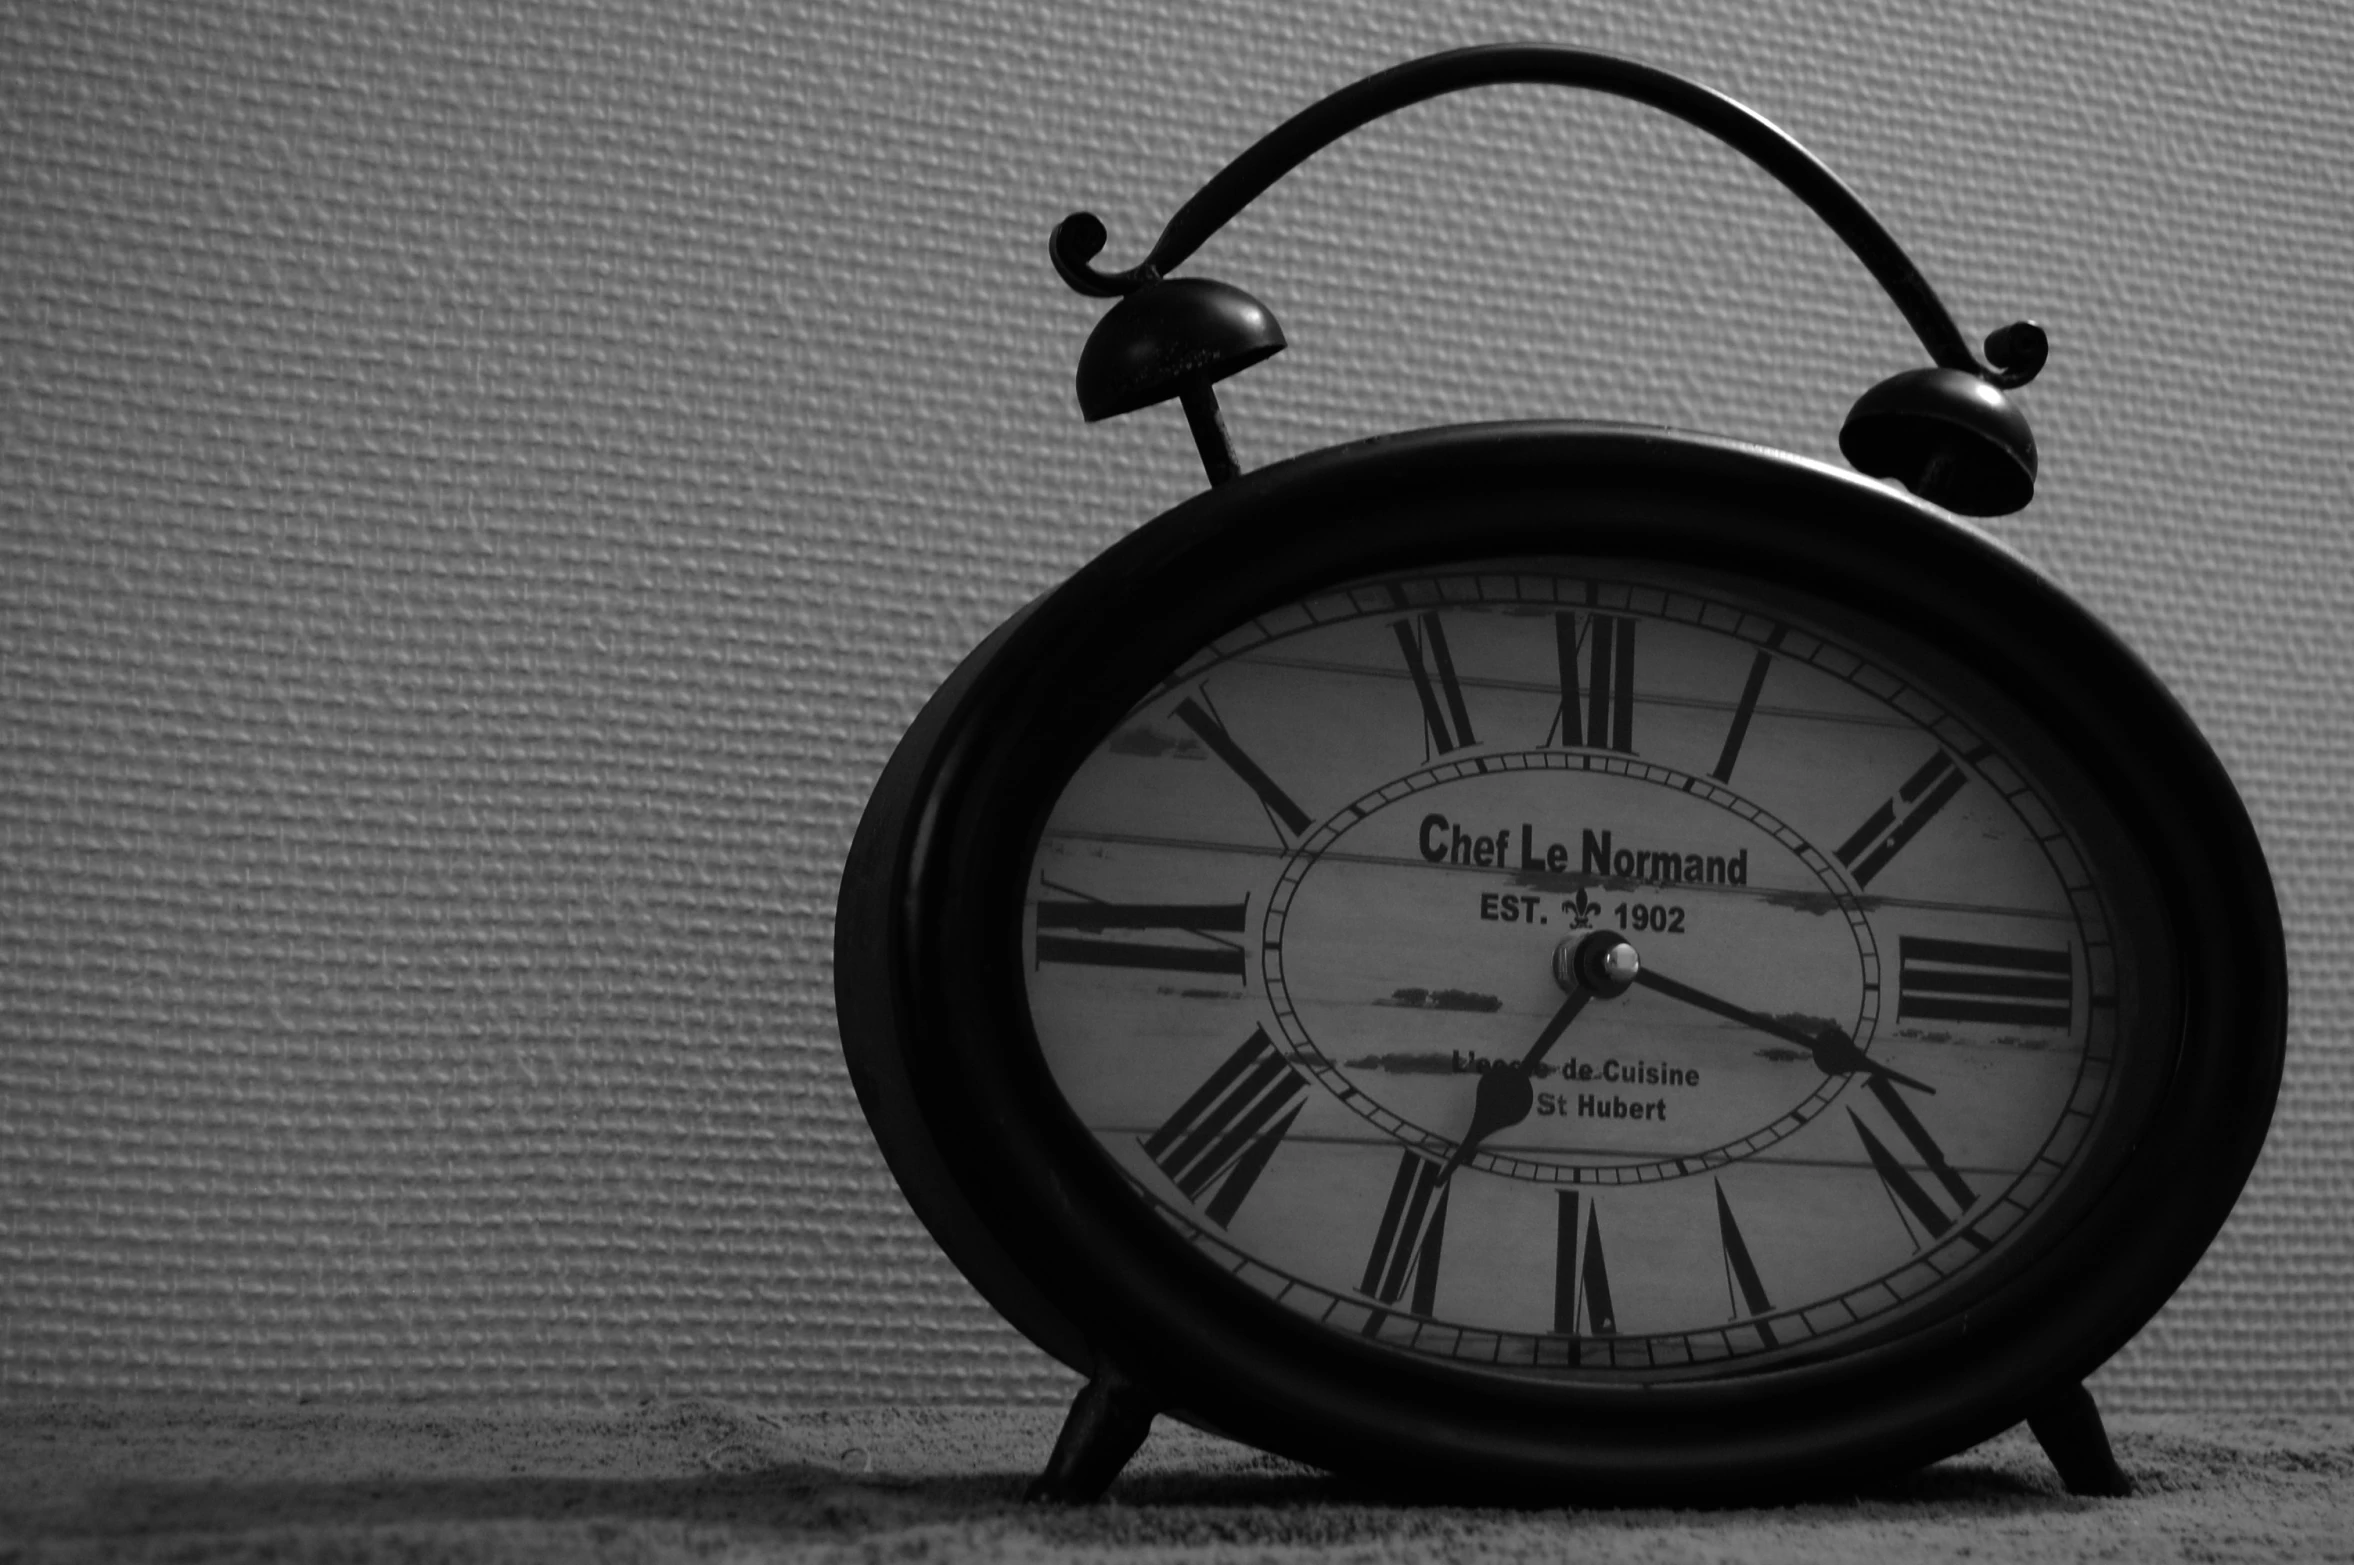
(486, 486)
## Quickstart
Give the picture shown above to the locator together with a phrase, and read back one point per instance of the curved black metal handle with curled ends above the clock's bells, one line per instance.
(2019, 352)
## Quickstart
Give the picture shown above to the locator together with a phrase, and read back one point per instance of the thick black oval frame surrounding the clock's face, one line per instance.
(933, 1011)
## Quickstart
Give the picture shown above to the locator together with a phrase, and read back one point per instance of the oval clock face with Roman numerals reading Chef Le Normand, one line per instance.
(1592, 968)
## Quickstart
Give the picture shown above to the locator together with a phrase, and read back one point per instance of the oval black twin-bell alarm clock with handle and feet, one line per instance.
(1564, 961)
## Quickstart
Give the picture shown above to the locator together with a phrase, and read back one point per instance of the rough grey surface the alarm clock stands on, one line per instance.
(714, 1481)
